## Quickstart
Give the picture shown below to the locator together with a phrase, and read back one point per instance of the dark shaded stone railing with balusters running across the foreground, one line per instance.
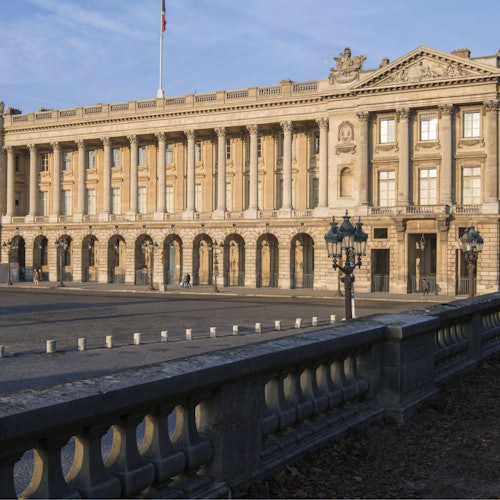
(219, 420)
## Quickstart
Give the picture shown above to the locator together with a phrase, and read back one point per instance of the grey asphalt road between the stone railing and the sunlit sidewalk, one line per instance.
(30, 316)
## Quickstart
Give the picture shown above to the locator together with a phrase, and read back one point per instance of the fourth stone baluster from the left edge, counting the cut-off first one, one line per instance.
(125, 462)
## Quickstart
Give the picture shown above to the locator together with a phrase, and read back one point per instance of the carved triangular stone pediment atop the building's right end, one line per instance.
(424, 65)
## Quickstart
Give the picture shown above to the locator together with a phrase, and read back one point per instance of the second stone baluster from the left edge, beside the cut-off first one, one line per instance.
(48, 480)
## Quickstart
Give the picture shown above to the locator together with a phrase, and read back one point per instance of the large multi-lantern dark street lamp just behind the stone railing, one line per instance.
(352, 241)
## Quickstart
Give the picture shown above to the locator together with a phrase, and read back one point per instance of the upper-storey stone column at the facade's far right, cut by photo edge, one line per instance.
(491, 188)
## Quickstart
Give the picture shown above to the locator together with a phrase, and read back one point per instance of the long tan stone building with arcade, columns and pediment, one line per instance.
(242, 184)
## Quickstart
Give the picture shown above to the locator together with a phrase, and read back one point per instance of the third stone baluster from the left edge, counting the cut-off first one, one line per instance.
(88, 474)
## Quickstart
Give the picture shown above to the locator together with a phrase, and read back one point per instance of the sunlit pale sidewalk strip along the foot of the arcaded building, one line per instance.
(301, 293)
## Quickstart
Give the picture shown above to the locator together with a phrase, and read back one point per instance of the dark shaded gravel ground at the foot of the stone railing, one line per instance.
(450, 449)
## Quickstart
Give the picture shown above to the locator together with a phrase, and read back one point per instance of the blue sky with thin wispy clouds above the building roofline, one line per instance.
(69, 53)
